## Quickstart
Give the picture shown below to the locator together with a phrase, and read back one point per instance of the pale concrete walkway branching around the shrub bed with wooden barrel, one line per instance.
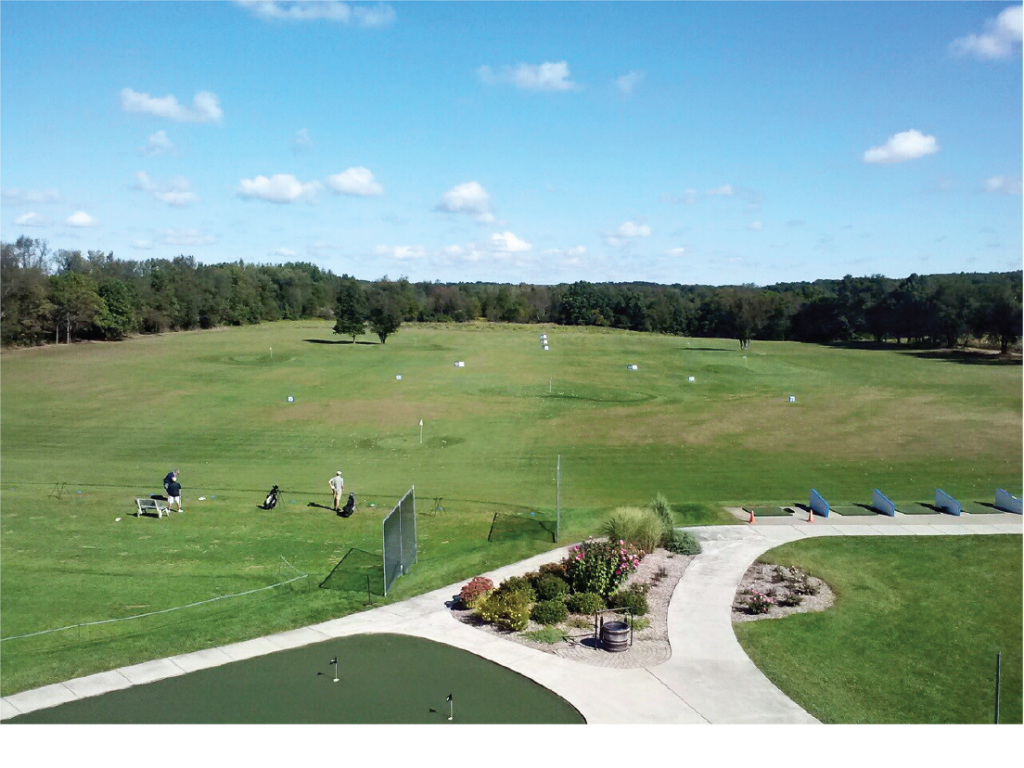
(709, 679)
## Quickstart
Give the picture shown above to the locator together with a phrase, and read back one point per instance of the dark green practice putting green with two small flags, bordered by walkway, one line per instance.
(385, 680)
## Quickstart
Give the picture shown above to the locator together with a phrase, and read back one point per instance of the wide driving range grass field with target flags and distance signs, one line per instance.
(111, 420)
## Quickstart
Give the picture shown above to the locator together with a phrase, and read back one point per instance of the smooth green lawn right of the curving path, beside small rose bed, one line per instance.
(914, 636)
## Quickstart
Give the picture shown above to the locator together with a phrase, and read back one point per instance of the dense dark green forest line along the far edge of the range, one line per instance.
(65, 296)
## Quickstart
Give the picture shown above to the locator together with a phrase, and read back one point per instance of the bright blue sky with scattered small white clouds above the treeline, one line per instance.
(714, 143)
